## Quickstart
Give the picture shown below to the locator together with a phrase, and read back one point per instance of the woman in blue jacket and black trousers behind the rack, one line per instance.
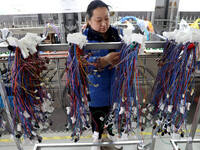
(99, 30)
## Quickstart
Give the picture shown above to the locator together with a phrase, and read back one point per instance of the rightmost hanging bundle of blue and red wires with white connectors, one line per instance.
(173, 92)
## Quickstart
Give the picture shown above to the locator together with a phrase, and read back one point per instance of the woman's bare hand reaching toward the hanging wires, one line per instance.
(110, 59)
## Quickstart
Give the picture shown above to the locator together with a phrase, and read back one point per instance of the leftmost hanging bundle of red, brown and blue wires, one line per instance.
(32, 102)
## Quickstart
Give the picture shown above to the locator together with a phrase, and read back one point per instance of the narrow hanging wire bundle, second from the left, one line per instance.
(78, 94)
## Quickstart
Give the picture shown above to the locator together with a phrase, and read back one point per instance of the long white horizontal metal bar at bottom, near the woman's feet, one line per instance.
(44, 145)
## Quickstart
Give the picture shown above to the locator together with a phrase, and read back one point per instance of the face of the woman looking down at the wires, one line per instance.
(100, 20)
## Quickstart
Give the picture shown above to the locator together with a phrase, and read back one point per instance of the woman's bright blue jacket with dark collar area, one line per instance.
(100, 82)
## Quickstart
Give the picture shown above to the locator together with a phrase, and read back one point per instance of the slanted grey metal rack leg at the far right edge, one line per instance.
(194, 125)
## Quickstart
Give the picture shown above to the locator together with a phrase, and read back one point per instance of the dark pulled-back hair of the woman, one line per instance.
(93, 5)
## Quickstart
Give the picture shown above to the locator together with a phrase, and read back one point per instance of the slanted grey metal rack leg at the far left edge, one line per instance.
(6, 105)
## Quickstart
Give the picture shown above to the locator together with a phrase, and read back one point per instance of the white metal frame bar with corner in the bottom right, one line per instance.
(175, 142)
